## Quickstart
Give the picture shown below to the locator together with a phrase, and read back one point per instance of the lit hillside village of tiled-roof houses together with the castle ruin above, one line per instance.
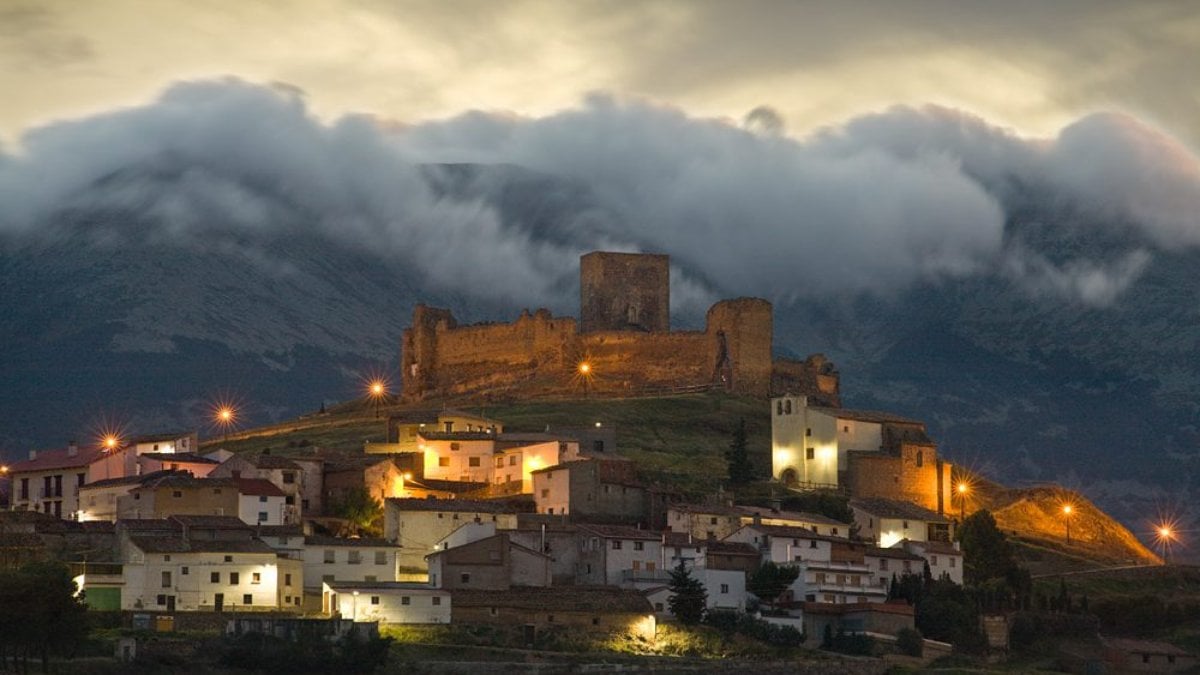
(452, 518)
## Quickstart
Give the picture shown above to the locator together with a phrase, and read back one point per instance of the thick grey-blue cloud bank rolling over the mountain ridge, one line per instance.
(873, 206)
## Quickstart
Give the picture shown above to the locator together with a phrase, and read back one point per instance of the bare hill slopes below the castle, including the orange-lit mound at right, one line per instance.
(680, 441)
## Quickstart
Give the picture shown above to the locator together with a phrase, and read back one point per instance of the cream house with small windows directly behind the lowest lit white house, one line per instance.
(339, 559)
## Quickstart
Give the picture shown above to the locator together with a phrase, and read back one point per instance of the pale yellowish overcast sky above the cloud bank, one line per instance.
(1034, 67)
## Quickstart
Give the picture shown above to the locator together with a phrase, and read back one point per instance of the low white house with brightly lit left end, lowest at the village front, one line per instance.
(387, 602)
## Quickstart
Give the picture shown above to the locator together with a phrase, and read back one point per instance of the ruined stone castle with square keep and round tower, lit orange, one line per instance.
(625, 338)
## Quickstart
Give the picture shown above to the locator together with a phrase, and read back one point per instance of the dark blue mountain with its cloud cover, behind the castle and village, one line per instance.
(1035, 300)
